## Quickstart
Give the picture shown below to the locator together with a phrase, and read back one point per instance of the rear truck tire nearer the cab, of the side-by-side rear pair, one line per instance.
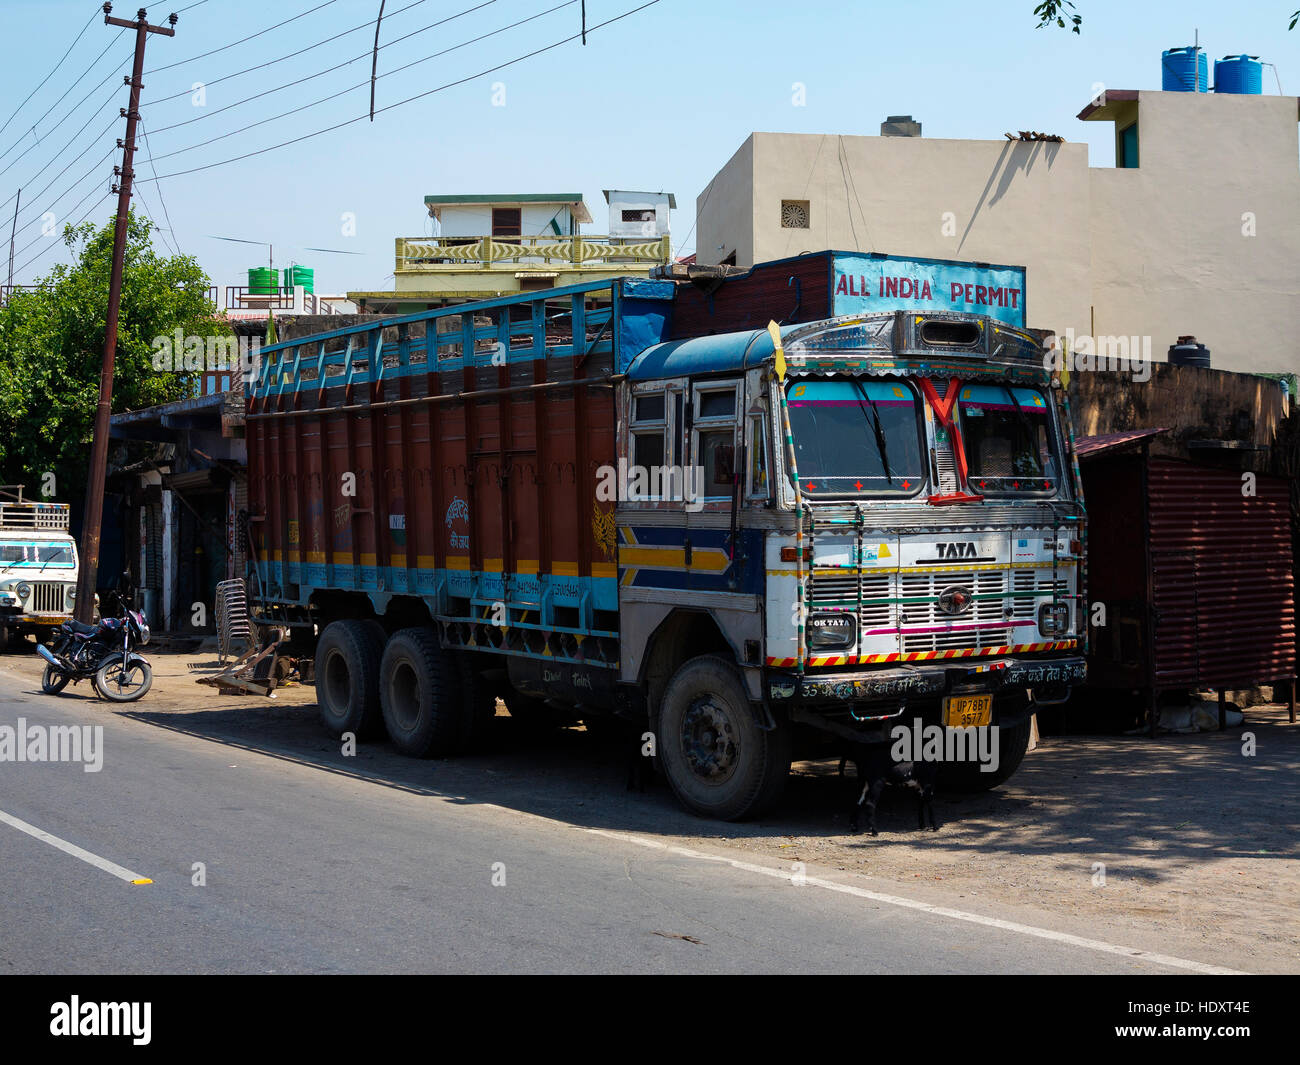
(422, 695)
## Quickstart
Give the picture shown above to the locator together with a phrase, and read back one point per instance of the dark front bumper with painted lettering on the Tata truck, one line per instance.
(881, 695)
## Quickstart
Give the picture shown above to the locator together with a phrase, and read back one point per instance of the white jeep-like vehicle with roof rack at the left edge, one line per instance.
(38, 566)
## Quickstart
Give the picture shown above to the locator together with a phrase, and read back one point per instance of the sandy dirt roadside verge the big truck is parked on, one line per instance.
(1182, 842)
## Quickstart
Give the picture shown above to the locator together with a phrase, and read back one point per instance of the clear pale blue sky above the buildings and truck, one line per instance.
(658, 101)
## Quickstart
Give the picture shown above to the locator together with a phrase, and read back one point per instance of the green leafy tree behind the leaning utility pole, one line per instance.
(53, 347)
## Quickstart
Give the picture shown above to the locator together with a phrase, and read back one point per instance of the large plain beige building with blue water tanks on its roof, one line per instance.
(1195, 233)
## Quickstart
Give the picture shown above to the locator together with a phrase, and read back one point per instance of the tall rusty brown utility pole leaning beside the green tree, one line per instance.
(89, 568)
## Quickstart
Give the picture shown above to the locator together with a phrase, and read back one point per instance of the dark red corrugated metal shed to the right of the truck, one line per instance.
(1195, 570)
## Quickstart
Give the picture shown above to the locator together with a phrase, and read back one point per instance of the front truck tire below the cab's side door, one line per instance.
(718, 760)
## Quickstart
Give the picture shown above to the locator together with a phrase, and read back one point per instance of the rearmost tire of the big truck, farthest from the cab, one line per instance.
(348, 678)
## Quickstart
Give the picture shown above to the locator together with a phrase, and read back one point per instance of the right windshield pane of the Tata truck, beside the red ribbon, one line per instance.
(1008, 438)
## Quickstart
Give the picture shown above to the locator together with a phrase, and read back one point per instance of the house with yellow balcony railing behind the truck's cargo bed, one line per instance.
(489, 246)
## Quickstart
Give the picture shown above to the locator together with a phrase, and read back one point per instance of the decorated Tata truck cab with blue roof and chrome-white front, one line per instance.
(889, 530)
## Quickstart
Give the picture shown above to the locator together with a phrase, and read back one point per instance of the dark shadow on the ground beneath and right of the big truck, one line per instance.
(1177, 799)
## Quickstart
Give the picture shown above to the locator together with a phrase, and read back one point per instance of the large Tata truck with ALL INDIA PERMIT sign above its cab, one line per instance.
(753, 546)
